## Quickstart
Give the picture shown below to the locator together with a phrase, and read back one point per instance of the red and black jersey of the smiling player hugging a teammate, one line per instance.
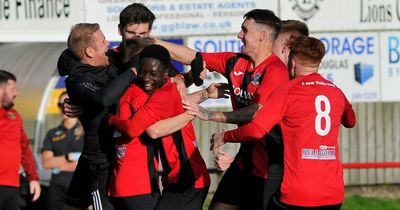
(181, 159)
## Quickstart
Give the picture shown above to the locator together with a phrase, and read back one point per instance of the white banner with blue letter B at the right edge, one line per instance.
(390, 66)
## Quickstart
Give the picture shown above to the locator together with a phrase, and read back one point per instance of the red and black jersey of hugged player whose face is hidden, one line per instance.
(135, 171)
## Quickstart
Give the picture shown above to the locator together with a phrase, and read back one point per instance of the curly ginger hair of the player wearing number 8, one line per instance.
(308, 50)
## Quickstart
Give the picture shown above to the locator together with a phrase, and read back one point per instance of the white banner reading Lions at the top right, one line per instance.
(343, 15)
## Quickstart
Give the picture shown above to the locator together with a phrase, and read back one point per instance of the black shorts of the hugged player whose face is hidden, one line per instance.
(137, 202)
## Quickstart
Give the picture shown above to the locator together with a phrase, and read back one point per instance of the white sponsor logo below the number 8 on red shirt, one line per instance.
(322, 153)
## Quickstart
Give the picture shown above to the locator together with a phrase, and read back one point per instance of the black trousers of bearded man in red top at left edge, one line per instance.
(9, 198)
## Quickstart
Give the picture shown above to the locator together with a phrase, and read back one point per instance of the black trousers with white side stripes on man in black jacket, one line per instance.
(89, 185)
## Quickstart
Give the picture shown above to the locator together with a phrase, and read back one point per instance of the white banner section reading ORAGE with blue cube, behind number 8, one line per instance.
(352, 62)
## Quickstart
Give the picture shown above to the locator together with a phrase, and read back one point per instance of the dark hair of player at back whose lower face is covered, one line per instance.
(135, 13)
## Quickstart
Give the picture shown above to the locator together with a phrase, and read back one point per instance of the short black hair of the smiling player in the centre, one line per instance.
(158, 52)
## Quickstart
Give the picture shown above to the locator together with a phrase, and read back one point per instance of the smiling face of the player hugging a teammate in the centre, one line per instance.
(152, 74)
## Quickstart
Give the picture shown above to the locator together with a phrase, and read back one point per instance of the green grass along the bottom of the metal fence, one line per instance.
(356, 202)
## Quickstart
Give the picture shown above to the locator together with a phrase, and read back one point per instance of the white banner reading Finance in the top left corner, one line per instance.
(40, 21)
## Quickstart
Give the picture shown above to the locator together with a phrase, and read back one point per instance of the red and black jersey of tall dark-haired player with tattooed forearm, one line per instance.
(249, 86)
